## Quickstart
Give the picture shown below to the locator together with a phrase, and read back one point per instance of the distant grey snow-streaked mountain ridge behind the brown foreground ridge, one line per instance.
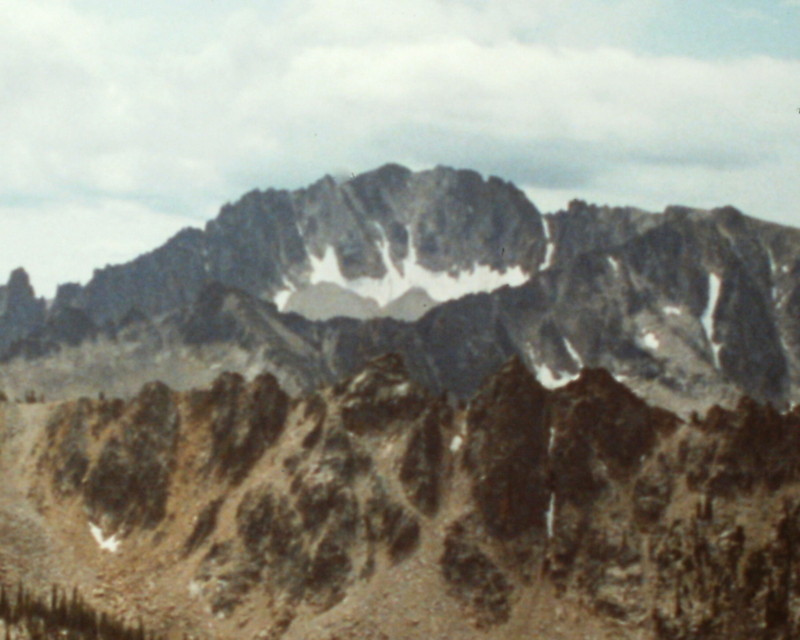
(688, 306)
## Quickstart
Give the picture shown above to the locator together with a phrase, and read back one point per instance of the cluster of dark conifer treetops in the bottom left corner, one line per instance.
(61, 616)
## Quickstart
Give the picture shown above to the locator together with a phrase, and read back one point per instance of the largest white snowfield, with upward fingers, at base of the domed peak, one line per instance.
(398, 280)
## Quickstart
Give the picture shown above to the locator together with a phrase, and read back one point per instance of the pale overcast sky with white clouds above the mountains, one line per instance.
(121, 123)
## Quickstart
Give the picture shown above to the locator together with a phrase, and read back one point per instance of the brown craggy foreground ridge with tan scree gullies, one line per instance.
(374, 509)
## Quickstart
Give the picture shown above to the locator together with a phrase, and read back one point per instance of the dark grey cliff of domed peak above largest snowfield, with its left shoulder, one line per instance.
(268, 241)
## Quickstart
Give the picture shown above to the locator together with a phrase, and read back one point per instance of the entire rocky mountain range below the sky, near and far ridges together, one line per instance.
(410, 405)
